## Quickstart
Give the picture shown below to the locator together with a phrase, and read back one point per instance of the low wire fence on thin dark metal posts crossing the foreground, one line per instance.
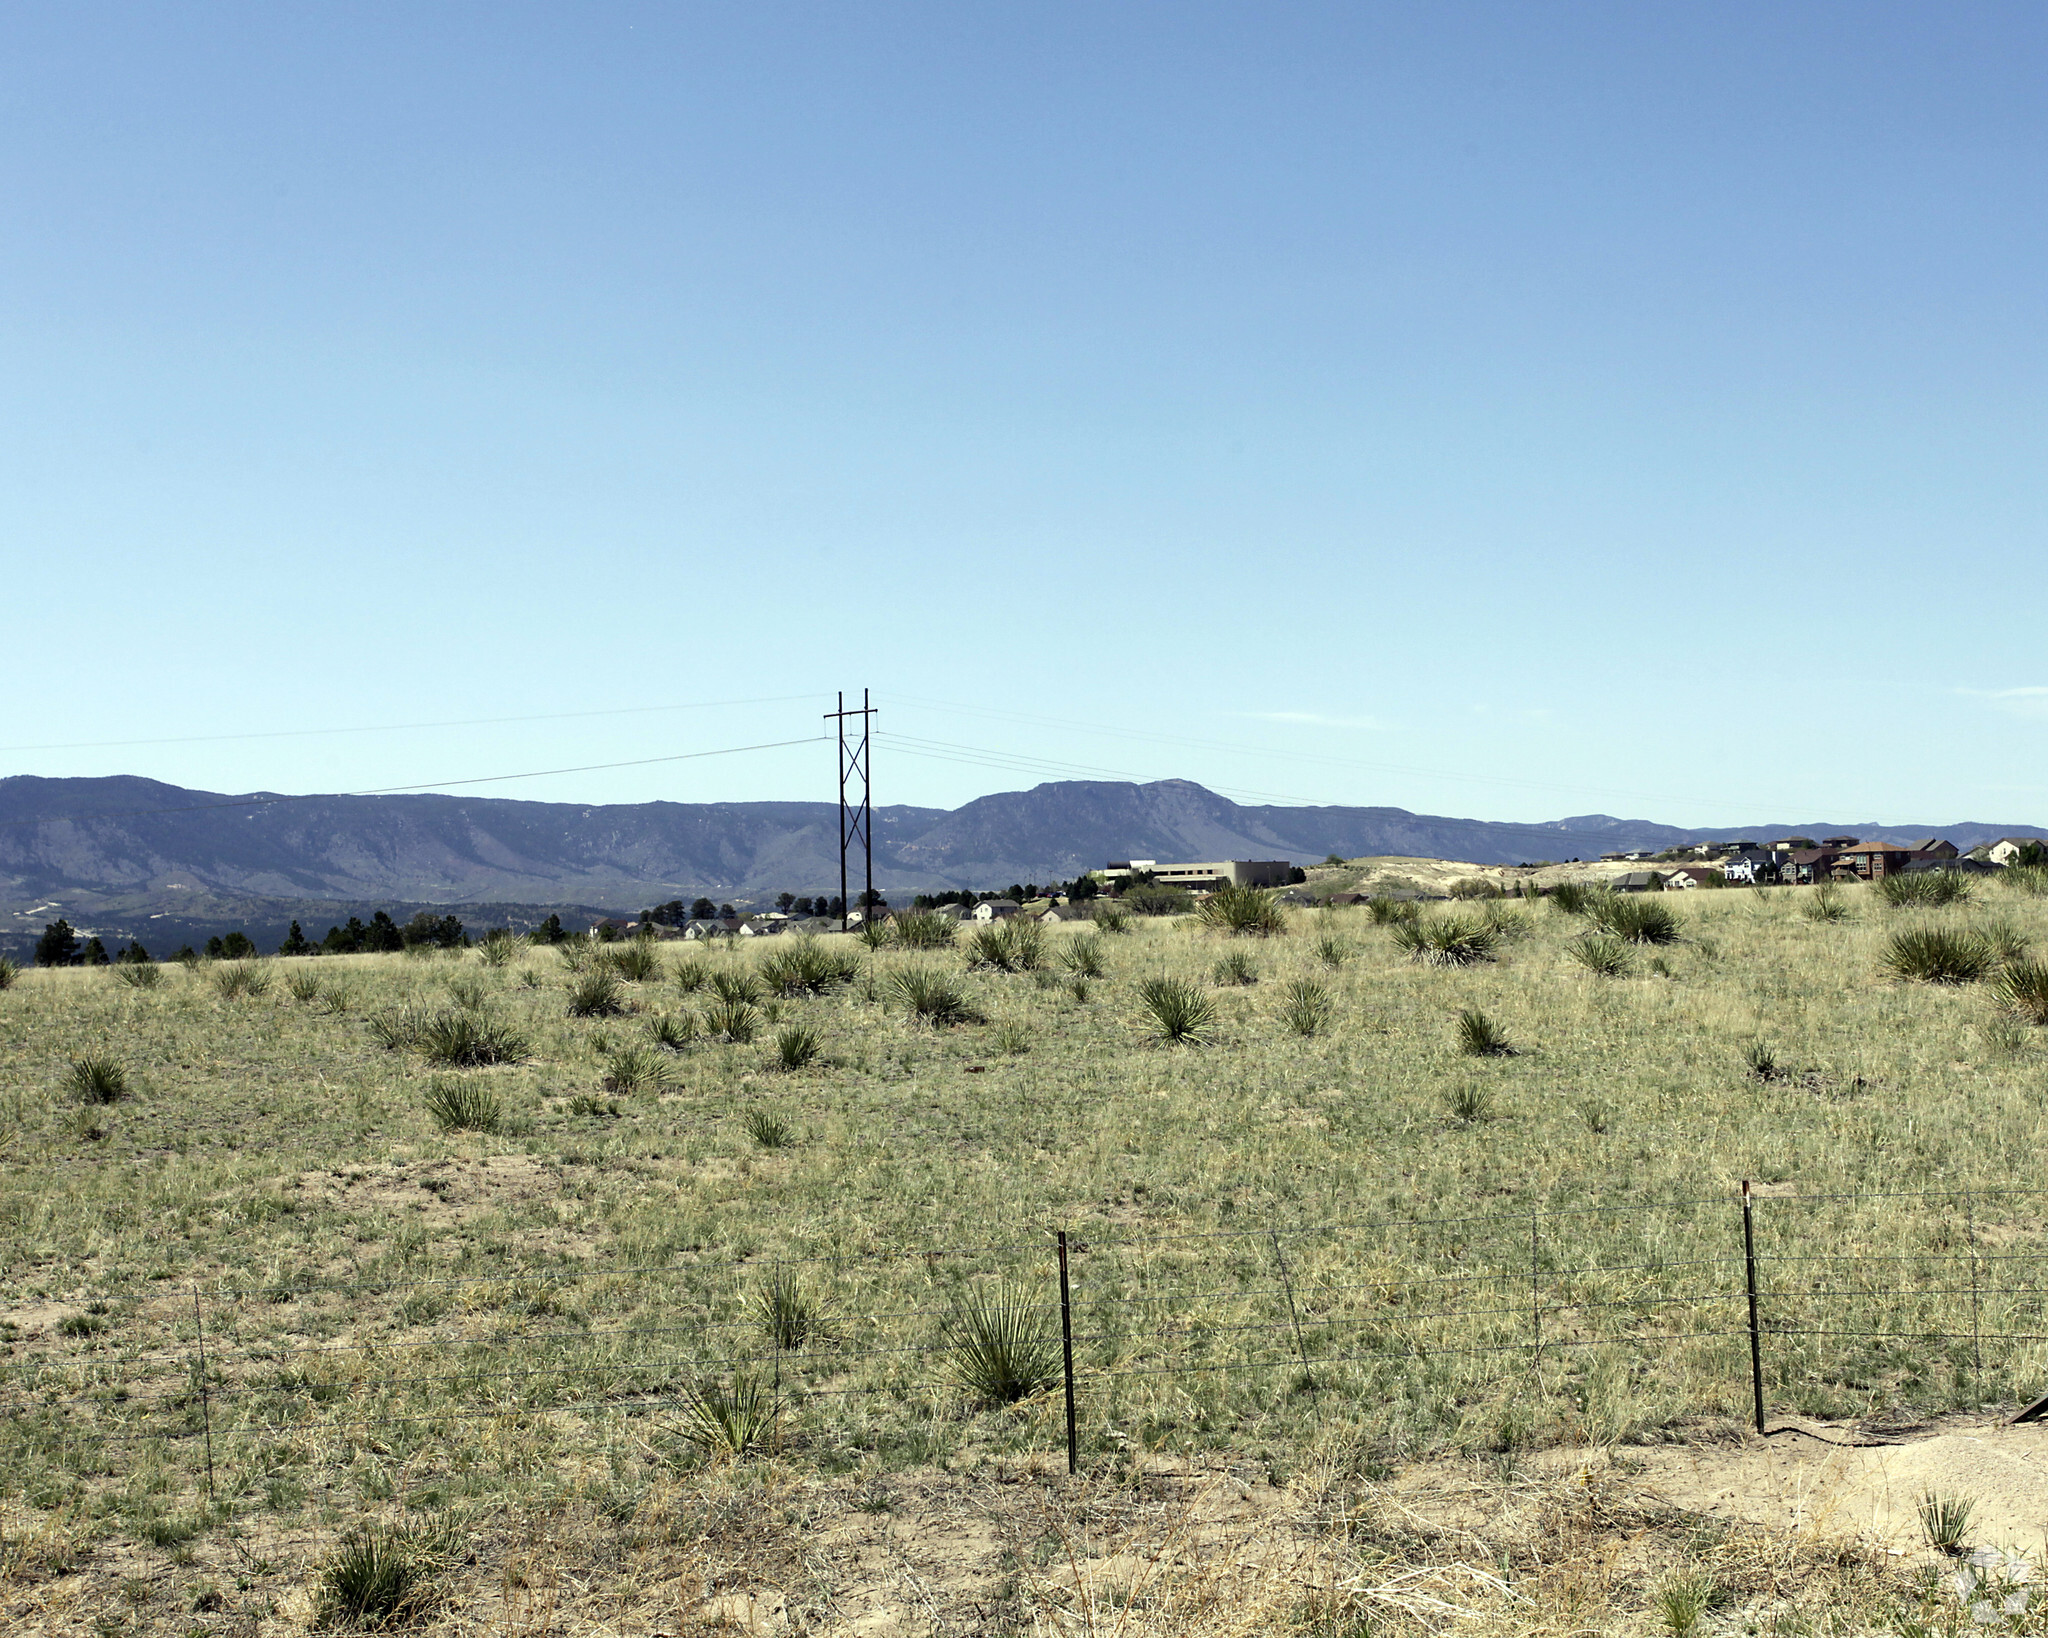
(1740, 1305)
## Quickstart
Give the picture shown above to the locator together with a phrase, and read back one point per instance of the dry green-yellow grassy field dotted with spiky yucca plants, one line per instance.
(1312, 1248)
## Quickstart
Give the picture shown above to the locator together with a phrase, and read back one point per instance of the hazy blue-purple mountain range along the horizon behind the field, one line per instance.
(148, 851)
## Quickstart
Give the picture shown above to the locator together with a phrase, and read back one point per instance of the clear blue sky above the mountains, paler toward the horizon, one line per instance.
(1482, 408)
